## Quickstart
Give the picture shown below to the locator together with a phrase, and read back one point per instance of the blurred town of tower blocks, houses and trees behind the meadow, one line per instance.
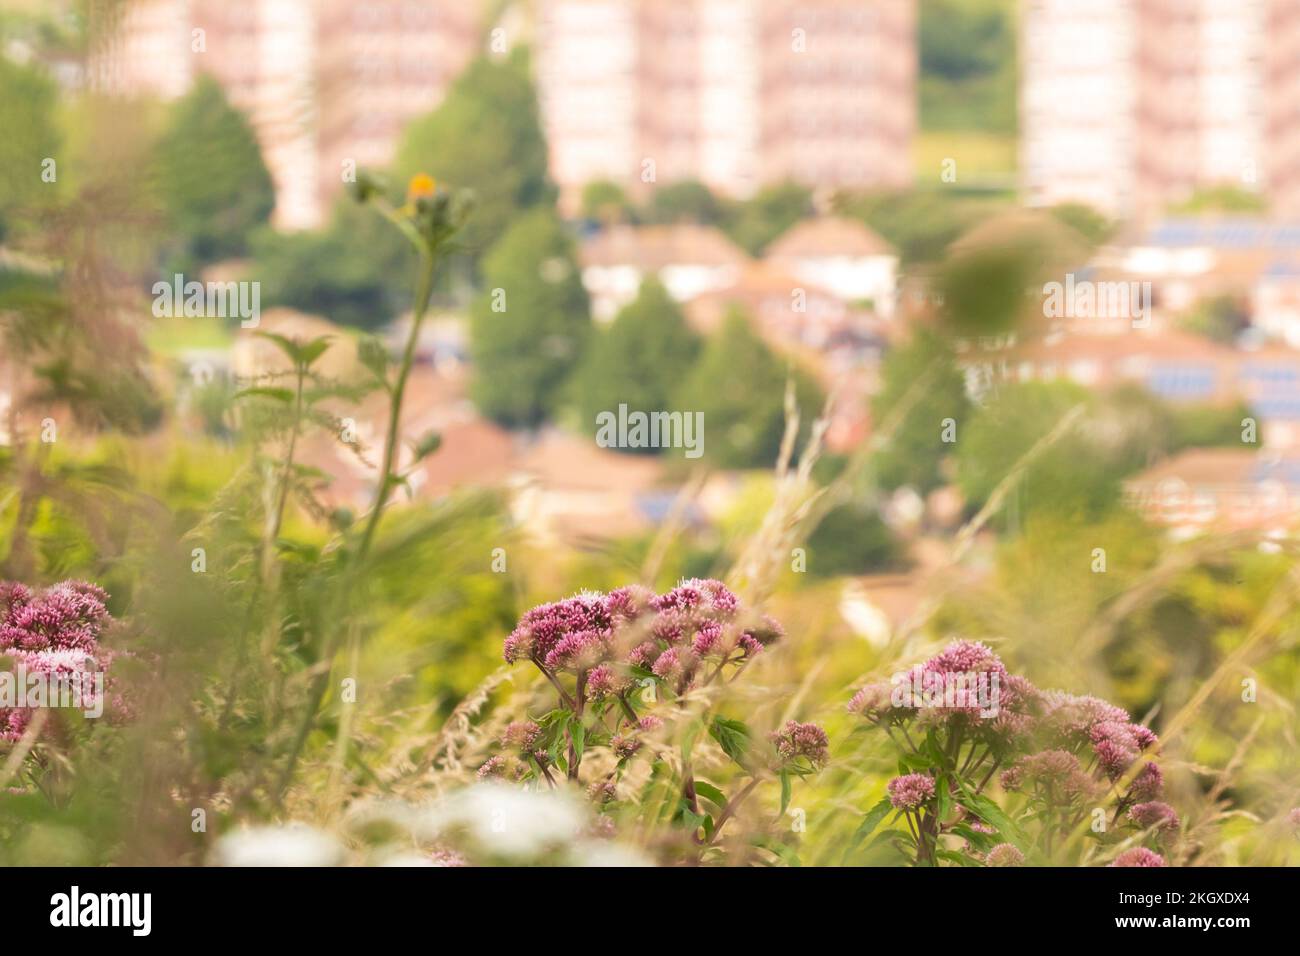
(697, 200)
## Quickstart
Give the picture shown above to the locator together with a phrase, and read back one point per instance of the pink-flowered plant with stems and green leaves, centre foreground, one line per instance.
(627, 668)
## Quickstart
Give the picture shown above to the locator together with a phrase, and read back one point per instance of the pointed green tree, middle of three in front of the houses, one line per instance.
(642, 360)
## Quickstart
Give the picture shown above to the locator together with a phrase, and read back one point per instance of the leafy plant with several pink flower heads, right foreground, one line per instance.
(1071, 771)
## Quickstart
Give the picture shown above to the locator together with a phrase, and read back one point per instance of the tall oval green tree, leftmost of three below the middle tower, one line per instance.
(530, 326)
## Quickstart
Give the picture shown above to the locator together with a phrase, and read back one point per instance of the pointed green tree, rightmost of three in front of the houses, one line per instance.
(740, 387)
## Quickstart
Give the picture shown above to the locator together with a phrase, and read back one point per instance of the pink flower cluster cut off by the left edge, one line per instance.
(54, 633)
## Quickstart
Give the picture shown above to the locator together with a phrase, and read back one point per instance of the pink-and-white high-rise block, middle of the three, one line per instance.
(733, 93)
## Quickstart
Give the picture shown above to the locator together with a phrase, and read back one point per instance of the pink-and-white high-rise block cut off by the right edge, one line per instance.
(1130, 106)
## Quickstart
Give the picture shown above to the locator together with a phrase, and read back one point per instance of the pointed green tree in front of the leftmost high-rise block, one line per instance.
(211, 178)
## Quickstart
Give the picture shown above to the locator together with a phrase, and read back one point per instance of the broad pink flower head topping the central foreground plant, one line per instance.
(605, 639)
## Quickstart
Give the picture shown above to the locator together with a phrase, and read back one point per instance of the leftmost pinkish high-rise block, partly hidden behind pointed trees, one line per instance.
(324, 83)
